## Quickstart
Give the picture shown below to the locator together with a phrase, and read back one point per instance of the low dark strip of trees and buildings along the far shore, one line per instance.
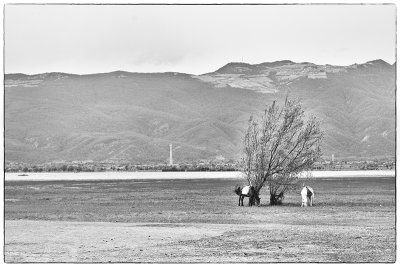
(230, 165)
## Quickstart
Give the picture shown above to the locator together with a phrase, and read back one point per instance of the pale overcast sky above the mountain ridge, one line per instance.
(192, 39)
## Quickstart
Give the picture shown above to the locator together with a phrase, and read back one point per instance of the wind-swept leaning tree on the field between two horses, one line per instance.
(279, 148)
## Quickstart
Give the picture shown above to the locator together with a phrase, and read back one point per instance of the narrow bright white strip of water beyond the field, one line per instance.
(177, 175)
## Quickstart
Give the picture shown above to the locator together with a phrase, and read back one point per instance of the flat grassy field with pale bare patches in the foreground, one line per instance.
(196, 220)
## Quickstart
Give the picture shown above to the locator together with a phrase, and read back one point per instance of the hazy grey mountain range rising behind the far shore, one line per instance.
(124, 116)
